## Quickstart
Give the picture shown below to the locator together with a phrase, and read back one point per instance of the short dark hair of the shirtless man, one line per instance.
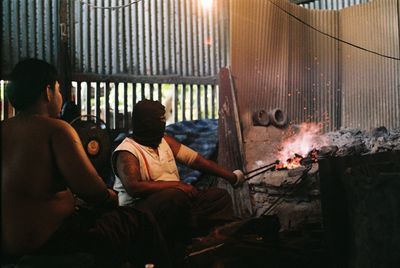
(28, 79)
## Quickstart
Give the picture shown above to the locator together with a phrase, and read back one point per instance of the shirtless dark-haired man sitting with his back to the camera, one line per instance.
(44, 166)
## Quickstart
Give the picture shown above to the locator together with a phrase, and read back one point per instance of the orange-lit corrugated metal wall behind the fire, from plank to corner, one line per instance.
(279, 62)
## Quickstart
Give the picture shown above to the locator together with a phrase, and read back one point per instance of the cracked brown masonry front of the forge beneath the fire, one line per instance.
(291, 194)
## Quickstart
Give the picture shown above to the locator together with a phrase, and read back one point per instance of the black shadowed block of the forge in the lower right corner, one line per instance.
(361, 209)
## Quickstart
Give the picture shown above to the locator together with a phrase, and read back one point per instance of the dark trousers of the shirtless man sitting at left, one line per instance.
(114, 236)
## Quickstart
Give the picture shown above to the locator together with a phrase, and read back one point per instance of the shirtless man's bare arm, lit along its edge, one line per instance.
(77, 170)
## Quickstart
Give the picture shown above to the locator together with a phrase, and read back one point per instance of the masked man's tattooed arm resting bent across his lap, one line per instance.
(129, 172)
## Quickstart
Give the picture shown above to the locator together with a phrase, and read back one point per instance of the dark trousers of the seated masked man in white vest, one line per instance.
(211, 207)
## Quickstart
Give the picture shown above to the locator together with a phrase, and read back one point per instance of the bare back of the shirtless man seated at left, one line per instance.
(35, 197)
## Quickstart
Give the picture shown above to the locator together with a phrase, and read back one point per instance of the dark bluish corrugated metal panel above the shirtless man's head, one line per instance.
(29, 29)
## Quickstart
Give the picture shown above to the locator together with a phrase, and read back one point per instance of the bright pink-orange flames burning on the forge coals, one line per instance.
(300, 145)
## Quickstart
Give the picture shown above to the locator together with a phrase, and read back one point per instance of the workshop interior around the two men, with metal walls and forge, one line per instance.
(303, 96)
